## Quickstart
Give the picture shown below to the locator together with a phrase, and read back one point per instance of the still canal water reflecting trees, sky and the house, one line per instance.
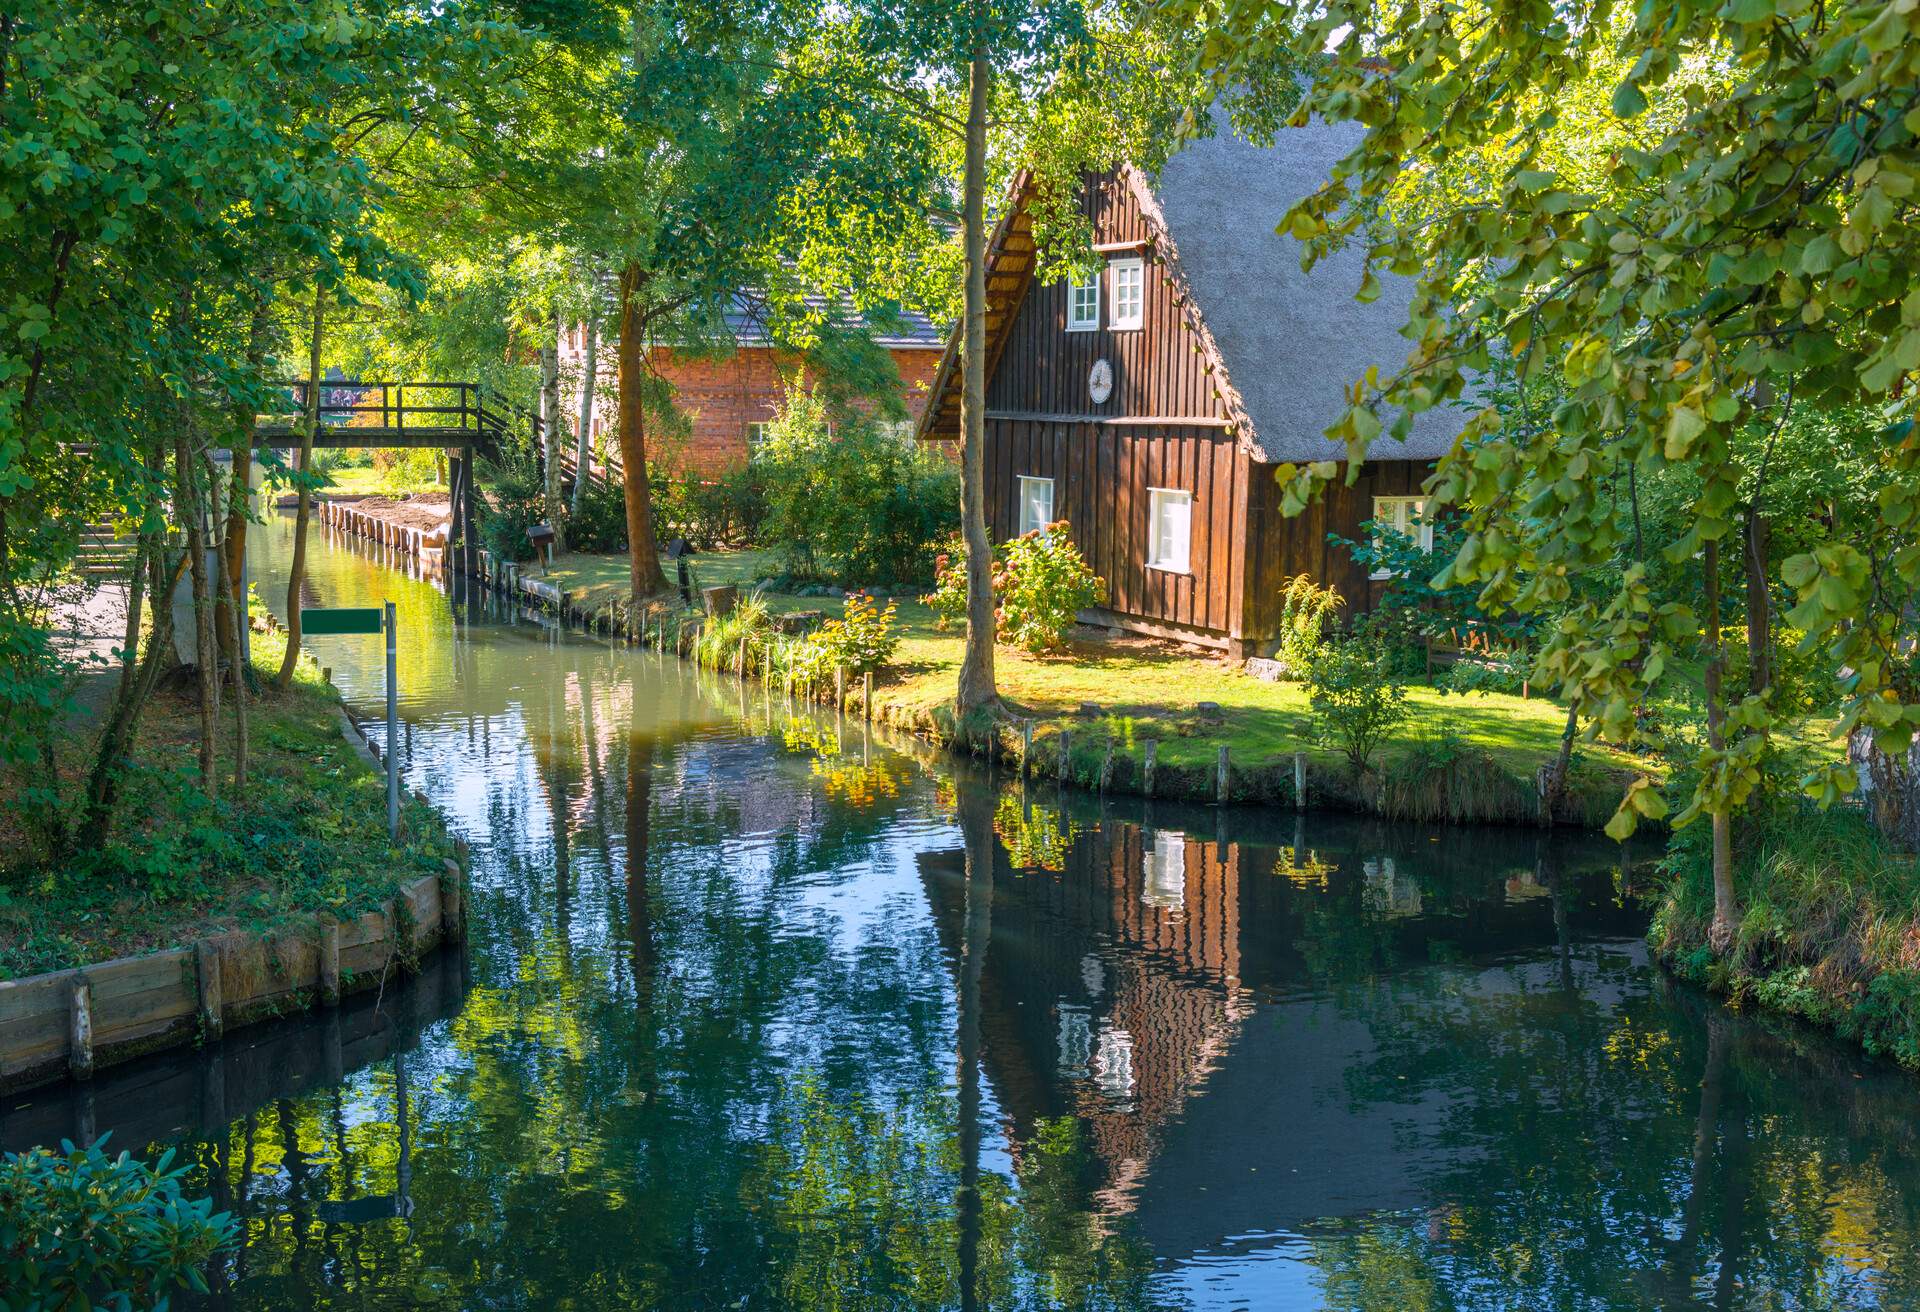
(767, 1011)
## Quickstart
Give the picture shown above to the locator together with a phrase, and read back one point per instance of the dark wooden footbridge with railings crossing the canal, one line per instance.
(460, 418)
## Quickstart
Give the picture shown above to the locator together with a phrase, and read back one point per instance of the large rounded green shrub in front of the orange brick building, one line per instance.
(853, 502)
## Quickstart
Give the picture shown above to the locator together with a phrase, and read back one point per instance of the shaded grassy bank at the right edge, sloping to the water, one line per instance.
(1829, 931)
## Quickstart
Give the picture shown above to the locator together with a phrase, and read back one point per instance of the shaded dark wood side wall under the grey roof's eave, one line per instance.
(1278, 548)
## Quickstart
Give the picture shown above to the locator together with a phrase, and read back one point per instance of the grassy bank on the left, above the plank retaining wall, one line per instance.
(306, 837)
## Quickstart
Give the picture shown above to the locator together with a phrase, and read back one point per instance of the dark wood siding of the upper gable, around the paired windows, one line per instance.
(1159, 368)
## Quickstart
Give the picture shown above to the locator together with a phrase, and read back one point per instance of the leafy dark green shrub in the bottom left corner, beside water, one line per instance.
(80, 1228)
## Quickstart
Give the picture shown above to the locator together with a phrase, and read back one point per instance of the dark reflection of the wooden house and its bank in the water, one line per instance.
(1180, 998)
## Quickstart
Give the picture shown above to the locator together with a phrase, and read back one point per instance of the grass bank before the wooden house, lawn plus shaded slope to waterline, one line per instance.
(1460, 756)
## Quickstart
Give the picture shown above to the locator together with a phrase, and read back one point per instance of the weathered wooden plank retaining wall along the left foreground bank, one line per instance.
(72, 1023)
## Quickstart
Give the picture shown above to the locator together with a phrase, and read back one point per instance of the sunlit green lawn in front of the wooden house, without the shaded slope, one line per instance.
(1138, 683)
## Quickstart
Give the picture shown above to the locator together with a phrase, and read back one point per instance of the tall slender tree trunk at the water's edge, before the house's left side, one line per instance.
(976, 691)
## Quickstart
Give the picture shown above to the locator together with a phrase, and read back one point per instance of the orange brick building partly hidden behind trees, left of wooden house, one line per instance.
(727, 399)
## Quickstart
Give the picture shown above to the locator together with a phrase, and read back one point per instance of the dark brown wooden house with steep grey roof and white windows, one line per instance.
(1151, 404)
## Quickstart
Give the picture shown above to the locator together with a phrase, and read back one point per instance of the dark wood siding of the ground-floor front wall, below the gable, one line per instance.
(1101, 477)
